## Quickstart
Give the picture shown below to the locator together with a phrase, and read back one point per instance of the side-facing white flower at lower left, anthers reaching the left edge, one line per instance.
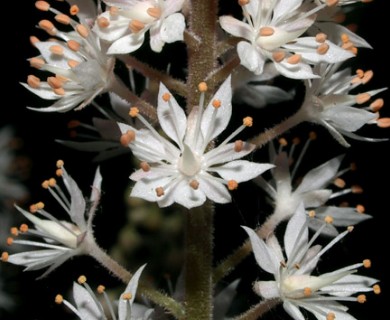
(59, 240)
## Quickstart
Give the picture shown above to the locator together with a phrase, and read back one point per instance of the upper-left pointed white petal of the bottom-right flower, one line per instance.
(265, 258)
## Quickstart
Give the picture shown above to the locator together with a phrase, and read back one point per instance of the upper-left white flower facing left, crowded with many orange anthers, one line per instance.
(81, 69)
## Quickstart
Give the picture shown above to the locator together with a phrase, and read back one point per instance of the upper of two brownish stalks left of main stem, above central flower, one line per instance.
(172, 84)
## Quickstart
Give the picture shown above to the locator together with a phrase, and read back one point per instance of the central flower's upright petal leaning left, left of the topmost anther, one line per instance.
(171, 116)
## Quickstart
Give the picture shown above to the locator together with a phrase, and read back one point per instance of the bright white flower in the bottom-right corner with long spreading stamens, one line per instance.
(295, 285)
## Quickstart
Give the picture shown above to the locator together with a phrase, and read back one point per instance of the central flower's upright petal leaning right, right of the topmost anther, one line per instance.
(213, 126)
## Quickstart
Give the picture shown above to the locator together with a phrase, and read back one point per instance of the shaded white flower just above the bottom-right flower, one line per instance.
(313, 191)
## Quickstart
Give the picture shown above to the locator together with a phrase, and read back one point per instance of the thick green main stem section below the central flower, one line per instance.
(198, 263)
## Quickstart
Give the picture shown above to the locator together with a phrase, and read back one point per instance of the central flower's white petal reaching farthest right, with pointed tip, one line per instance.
(241, 170)
